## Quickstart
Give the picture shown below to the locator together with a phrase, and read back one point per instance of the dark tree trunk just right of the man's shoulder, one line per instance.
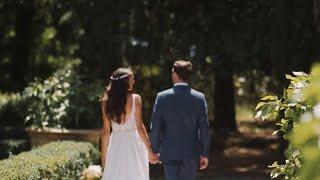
(224, 102)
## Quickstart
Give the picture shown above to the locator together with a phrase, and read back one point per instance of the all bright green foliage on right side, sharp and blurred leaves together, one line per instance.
(295, 113)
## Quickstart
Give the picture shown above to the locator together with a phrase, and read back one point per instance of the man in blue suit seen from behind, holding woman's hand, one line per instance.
(179, 127)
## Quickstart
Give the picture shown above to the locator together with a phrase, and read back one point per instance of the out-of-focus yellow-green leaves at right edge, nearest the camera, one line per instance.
(307, 134)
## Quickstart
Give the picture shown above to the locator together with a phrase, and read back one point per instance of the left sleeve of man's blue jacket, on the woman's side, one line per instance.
(156, 126)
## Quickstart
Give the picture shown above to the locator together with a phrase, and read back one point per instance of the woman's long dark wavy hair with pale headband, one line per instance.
(116, 94)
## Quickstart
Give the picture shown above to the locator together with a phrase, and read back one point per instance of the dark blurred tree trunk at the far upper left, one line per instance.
(22, 43)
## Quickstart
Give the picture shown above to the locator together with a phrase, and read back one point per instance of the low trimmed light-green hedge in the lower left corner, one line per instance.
(56, 160)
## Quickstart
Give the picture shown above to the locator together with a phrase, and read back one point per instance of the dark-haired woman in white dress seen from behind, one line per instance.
(125, 154)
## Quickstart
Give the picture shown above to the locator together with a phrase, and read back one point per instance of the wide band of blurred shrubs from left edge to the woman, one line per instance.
(64, 99)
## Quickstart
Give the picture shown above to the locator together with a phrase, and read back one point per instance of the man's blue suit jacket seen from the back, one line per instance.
(179, 124)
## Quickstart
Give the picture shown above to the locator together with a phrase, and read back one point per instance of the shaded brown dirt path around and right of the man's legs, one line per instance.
(241, 156)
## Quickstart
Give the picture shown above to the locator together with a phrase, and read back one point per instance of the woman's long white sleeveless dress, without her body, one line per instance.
(127, 156)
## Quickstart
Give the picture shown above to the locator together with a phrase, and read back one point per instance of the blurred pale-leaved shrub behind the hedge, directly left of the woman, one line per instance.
(64, 100)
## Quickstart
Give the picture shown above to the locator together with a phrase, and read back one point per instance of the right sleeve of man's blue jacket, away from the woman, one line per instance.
(204, 128)
